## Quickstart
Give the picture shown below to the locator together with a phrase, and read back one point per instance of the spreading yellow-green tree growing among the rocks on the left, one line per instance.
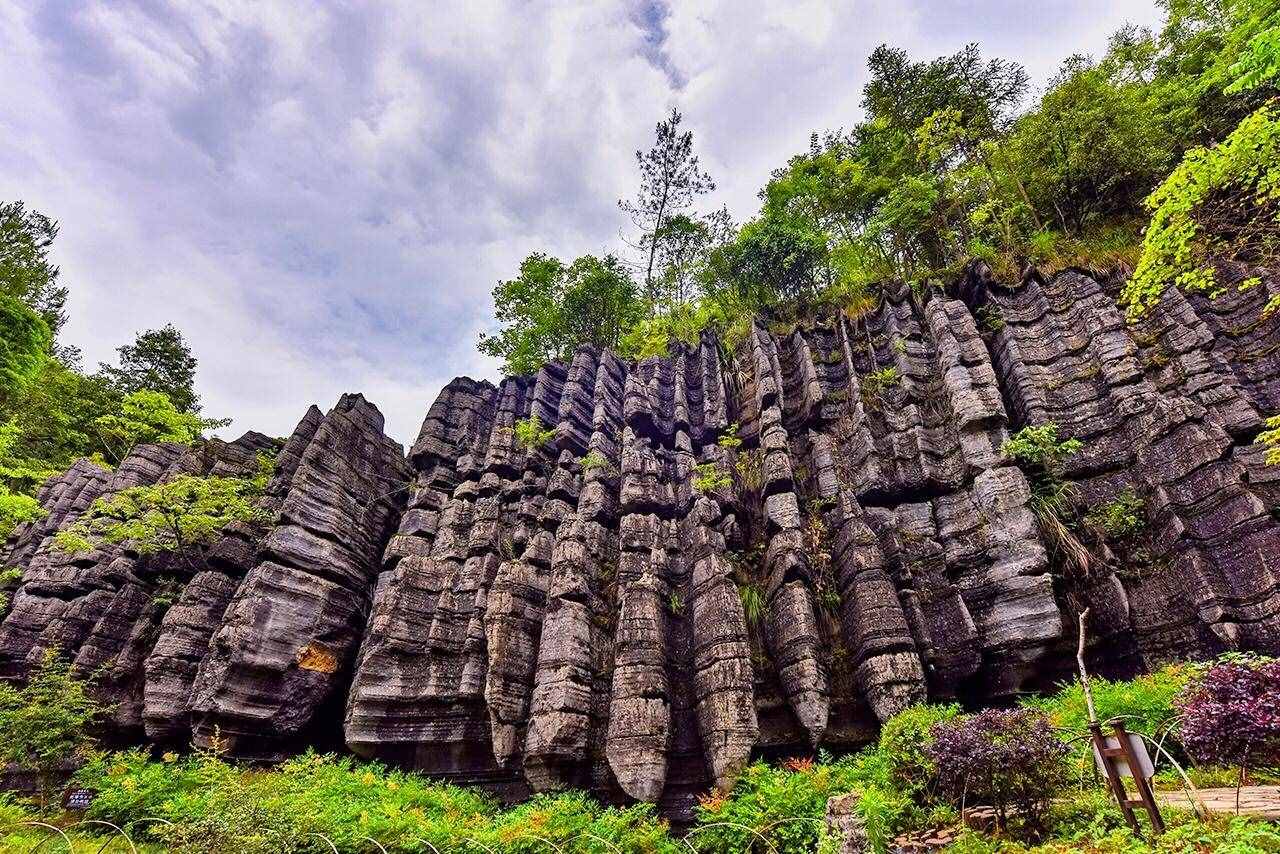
(172, 517)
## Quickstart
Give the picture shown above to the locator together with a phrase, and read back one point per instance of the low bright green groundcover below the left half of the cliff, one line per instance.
(221, 809)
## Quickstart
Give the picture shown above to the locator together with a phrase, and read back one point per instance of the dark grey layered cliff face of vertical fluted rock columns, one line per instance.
(717, 555)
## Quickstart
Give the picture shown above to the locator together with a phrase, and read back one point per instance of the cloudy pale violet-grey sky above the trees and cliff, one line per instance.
(323, 195)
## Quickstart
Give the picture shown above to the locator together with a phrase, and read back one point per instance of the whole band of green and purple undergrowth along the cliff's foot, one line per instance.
(908, 782)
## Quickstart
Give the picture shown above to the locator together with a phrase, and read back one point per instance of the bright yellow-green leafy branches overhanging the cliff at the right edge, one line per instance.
(1199, 211)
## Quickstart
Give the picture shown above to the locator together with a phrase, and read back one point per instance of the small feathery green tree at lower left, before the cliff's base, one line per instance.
(47, 723)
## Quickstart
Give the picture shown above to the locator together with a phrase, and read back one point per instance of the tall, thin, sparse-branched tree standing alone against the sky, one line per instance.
(671, 179)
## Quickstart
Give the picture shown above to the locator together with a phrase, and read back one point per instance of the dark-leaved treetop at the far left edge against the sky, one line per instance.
(26, 273)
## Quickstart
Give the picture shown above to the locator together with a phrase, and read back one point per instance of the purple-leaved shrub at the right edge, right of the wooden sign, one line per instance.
(1229, 715)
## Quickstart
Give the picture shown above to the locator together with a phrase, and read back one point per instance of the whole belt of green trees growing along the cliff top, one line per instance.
(1160, 154)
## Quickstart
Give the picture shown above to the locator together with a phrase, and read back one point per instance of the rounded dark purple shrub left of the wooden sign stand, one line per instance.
(1009, 759)
